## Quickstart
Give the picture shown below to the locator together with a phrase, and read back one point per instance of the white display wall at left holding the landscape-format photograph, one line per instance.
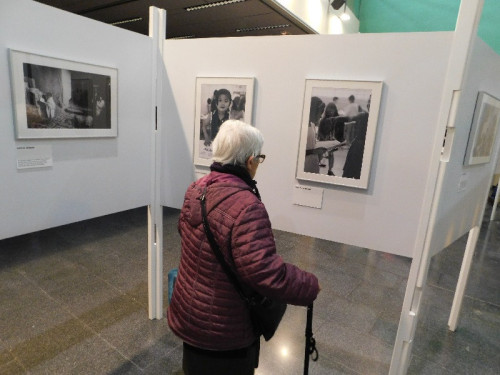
(89, 177)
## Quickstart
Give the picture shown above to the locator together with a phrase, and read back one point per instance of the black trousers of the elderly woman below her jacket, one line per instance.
(196, 361)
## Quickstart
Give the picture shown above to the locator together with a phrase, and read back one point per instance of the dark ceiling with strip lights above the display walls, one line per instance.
(239, 18)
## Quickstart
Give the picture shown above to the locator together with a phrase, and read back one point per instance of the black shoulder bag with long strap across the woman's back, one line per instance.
(265, 313)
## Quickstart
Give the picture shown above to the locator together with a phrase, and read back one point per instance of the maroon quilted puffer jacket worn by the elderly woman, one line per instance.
(205, 310)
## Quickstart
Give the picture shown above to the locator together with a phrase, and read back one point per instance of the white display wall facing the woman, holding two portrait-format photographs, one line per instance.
(383, 217)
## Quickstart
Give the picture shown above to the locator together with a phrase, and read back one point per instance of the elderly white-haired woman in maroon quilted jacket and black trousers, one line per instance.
(206, 311)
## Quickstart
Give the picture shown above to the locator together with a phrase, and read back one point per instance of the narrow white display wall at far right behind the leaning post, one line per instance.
(461, 209)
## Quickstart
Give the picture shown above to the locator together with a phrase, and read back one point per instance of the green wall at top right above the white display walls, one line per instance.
(384, 16)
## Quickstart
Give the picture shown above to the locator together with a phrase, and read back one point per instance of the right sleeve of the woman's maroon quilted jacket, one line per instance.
(260, 267)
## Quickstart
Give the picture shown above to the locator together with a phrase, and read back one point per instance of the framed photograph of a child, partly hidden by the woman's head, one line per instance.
(217, 100)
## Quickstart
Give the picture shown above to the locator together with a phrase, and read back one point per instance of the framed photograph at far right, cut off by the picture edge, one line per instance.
(483, 129)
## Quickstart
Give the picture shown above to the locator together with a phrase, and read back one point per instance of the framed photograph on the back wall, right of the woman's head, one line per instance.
(337, 136)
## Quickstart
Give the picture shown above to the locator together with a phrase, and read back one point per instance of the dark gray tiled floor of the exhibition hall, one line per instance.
(73, 300)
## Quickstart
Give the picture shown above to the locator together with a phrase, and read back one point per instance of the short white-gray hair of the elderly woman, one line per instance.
(235, 142)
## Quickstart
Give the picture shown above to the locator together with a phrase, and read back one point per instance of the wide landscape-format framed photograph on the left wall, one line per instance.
(55, 98)
